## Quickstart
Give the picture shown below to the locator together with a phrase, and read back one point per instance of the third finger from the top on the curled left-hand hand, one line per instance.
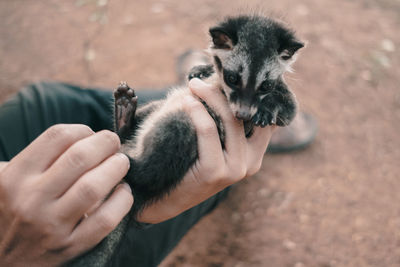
(93, 186)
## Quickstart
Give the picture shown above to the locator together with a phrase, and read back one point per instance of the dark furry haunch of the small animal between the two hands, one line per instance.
(169, 151)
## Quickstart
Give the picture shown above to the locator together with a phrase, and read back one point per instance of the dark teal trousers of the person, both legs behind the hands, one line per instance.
(41, 105)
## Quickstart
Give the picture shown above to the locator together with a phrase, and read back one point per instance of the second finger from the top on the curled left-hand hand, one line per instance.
(78, 159)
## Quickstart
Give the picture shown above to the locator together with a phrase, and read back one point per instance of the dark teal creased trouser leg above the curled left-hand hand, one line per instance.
(41, 105)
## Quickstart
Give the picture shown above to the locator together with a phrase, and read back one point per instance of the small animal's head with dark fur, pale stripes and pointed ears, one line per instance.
(250, 56)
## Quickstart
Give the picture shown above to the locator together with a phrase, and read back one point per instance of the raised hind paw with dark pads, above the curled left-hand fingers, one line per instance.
(125, 108)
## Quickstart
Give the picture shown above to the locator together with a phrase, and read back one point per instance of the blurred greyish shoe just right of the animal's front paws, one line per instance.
(296, 136)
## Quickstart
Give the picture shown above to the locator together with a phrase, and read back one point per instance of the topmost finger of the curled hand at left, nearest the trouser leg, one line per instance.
(45, 149)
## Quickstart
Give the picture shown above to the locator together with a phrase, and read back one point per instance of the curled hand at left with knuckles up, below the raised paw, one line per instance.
(52, 205)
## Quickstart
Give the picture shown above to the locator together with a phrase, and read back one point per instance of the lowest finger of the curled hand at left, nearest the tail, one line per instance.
(102, 221)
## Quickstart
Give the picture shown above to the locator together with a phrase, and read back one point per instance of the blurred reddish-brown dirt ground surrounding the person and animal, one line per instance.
(334, 204)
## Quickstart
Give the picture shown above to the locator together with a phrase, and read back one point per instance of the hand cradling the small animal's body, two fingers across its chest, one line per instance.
(216, 168)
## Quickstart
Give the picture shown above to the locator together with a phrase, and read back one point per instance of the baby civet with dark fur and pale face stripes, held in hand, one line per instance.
(250, 55)
